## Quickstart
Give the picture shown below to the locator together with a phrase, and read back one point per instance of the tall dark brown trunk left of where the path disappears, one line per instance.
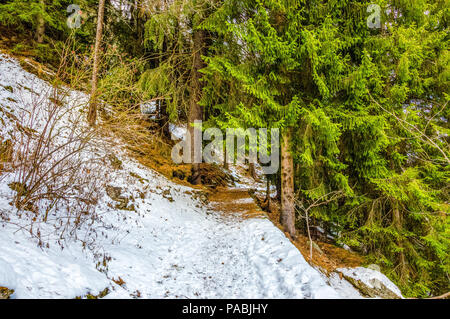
(195, 110)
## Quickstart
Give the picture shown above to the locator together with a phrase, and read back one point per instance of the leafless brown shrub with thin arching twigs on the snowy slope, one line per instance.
(55, 173)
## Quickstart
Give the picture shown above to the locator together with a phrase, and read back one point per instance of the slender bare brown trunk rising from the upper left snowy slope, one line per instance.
(92, 115)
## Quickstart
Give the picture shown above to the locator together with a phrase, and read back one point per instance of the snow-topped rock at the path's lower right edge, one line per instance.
(371, 283)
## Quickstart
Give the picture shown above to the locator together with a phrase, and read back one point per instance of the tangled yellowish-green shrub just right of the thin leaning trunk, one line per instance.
(121, 111)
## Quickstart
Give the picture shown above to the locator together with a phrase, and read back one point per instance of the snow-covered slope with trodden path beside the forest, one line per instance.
(167, 245)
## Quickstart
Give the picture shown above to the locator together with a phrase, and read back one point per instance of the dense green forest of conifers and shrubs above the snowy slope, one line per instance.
(359, 91)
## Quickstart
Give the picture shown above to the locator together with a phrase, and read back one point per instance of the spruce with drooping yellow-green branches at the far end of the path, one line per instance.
(174, 32)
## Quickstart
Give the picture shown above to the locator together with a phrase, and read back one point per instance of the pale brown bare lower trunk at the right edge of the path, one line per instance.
(287, 217)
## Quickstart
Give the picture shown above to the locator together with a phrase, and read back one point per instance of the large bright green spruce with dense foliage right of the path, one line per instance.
(368, 112)
